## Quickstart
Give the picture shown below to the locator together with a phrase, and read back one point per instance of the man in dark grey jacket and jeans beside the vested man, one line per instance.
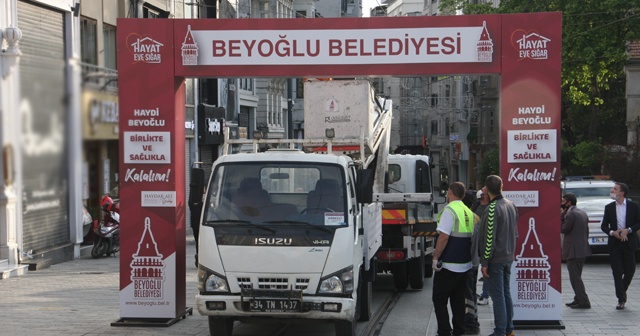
(497, 245)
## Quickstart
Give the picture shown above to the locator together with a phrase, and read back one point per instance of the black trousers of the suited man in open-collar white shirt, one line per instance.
(623, 266)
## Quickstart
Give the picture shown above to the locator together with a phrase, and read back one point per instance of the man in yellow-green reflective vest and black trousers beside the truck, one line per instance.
(452, 261)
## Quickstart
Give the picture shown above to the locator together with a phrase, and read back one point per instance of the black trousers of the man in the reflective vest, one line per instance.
(449, 287)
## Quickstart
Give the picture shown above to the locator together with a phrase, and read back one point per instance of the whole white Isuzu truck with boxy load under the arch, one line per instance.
(291, 233)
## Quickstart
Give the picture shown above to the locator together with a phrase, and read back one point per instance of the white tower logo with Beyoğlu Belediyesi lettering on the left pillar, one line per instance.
(147, 267)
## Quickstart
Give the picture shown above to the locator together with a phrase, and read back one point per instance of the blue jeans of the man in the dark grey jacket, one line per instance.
(498, 285)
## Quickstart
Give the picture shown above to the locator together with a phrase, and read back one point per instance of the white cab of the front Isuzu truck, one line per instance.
(275, 230)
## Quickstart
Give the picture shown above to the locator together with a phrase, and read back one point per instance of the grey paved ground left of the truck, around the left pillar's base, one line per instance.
(80, 297)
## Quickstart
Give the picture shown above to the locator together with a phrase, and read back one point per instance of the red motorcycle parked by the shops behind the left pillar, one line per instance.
(107, 231)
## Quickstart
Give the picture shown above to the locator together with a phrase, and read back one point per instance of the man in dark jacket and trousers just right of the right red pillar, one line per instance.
(575, 248)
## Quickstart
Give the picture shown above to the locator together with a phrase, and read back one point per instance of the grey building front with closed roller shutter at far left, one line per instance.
(41, 134)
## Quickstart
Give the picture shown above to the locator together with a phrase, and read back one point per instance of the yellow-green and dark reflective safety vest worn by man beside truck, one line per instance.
(458, 249)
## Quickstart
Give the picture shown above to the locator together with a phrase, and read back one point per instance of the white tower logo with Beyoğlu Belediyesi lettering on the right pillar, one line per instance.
(532, 269)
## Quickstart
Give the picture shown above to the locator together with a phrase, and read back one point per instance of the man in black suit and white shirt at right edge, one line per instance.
(621, 221)
